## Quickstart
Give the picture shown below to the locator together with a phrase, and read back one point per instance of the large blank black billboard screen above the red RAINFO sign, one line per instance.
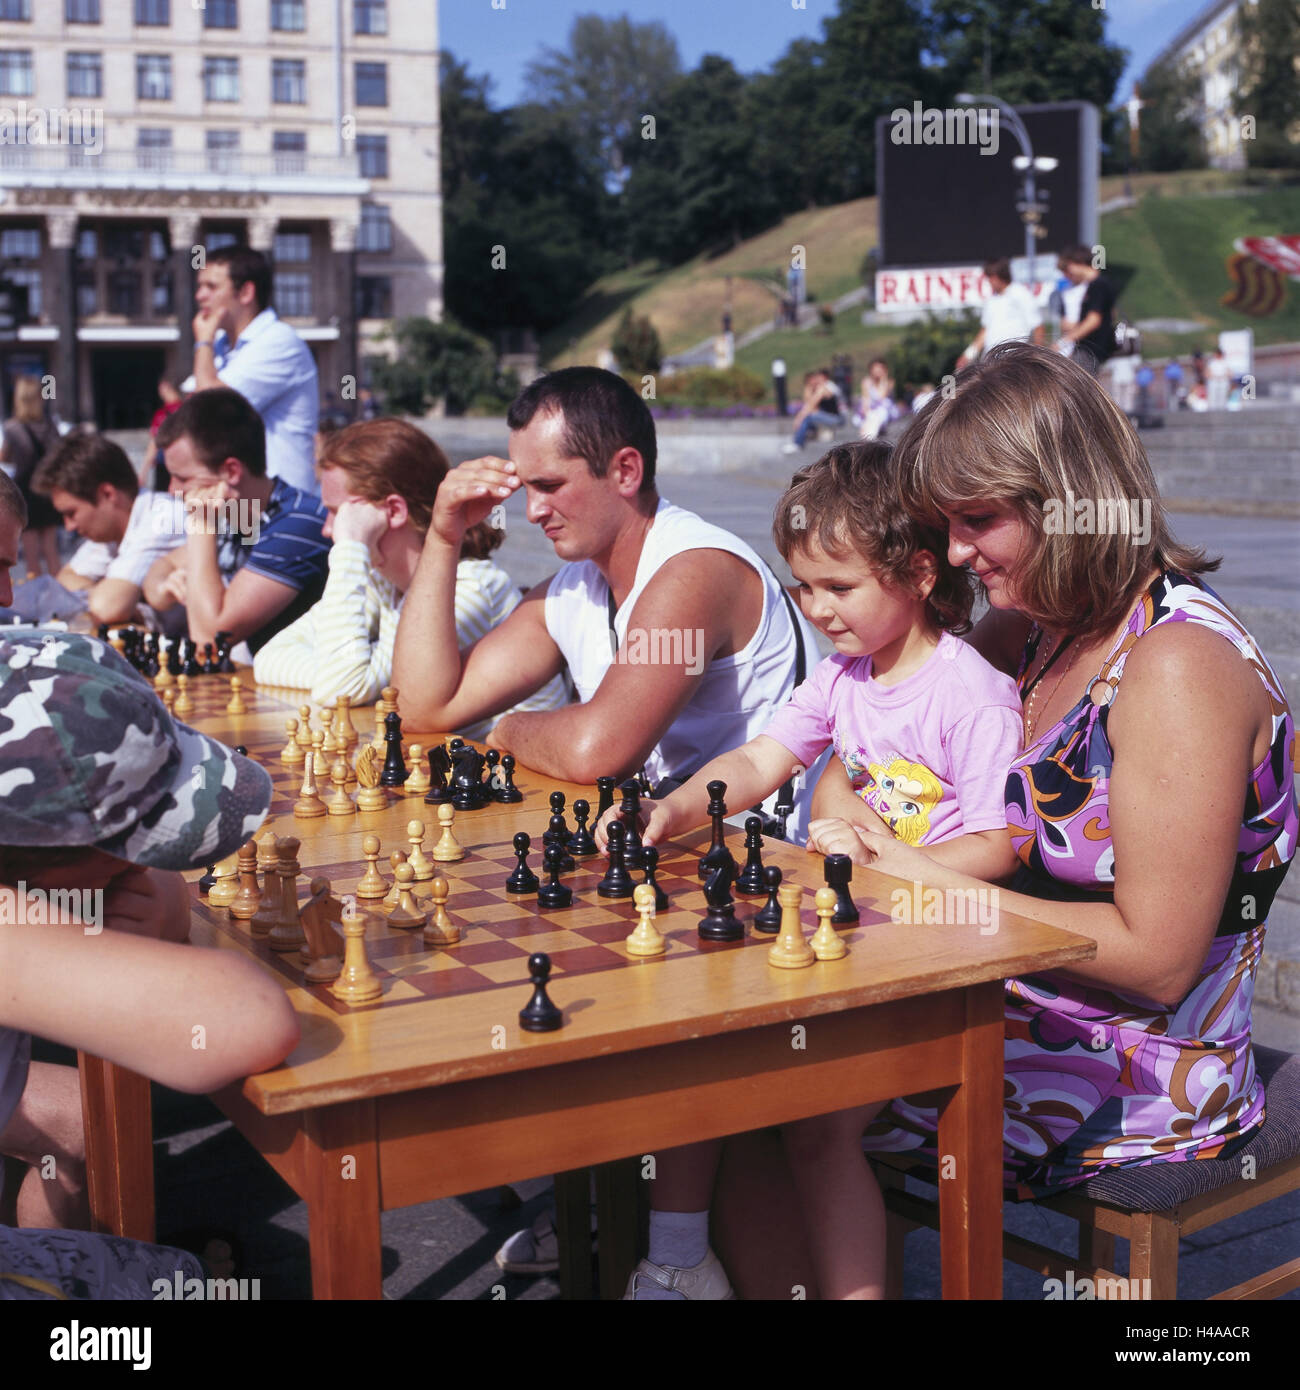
(950, 202)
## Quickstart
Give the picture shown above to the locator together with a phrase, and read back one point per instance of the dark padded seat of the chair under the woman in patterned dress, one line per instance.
(1162, 1186)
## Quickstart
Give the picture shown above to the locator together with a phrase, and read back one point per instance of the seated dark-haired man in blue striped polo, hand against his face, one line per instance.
(254, 558)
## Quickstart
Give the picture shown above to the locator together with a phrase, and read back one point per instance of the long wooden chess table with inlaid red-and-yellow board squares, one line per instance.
(434, 1089)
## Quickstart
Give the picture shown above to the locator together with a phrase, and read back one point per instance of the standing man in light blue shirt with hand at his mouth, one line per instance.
(241, 343)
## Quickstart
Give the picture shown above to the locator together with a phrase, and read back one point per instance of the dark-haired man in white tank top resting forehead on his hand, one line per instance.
(707, 640)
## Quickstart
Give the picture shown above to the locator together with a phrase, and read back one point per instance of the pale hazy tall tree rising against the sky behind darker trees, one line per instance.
(612, 76)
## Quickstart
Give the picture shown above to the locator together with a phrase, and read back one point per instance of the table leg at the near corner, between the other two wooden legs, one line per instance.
(343, 1191)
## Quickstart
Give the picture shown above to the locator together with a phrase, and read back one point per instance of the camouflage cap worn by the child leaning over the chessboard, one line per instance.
(90, 757)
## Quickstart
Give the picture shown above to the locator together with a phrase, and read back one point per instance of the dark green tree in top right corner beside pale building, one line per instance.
(1271, 83)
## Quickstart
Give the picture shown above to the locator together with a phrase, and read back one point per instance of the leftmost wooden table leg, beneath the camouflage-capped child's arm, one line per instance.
(119, 1129)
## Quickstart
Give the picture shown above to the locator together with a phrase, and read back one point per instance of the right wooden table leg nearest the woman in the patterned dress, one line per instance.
(971, 1157)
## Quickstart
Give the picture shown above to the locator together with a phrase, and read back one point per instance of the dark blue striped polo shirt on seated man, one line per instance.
(290, 550)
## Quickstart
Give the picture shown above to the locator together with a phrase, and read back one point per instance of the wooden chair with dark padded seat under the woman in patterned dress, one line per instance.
(1152, 1207)
